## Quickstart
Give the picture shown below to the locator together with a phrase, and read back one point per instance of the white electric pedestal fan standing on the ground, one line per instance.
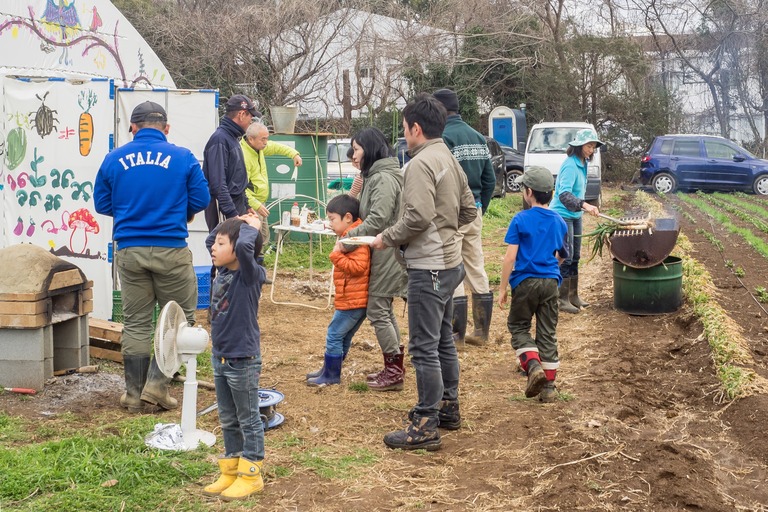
(177, 343)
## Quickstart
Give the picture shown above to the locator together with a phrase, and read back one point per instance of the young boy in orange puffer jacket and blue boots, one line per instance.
(351, 271)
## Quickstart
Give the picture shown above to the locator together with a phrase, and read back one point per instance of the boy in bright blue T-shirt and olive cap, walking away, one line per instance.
(536, 239)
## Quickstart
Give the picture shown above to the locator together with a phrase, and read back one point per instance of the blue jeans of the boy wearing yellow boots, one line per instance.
(237, 393)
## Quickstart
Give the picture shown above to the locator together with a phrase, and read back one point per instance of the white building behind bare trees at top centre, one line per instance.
(355, 60)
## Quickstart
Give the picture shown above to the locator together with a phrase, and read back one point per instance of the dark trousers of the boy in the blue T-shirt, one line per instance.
(534, 297)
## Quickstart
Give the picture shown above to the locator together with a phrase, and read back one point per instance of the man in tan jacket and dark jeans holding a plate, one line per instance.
(436, 202)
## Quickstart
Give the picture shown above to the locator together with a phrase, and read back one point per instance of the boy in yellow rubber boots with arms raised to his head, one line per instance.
(235, 245)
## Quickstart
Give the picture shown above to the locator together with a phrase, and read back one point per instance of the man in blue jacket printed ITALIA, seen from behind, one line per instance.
(150, 188)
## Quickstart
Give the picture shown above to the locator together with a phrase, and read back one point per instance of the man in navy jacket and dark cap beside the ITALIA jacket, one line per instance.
(223, 163)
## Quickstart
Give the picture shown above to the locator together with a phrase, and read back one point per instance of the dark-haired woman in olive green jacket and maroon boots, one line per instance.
(380, 208)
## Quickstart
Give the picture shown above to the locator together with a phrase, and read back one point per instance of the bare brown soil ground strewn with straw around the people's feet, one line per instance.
(641, 424)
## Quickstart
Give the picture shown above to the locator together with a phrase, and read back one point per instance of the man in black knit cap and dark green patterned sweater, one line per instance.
(470, 149)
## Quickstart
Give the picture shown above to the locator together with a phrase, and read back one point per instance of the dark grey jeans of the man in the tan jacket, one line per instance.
(433, 353)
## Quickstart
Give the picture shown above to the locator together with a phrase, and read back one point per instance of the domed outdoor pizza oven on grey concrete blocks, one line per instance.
(44, 306)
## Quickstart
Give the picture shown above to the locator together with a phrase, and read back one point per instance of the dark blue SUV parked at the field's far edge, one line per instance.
(701, 162)
